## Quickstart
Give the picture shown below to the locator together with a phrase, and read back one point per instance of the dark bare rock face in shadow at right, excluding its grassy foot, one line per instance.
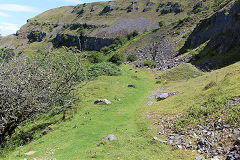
(222, 29)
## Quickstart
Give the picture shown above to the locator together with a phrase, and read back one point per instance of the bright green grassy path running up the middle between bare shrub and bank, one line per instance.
(82, 136)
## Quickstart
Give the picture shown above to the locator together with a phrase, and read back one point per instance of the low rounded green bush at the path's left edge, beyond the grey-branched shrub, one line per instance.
(104, 68)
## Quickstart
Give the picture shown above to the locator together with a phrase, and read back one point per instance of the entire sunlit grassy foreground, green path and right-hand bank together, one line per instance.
(136, 123)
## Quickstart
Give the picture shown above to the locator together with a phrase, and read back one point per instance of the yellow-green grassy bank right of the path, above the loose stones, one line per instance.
(210, 90)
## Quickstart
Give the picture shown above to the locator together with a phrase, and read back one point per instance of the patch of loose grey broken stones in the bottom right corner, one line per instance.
(203, 138)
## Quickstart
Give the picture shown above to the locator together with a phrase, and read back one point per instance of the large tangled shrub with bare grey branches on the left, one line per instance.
(31, 87)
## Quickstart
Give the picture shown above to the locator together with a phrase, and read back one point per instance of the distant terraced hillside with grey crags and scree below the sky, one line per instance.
(98, 23)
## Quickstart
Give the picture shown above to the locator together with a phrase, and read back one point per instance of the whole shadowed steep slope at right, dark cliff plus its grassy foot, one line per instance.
(220, 35)
